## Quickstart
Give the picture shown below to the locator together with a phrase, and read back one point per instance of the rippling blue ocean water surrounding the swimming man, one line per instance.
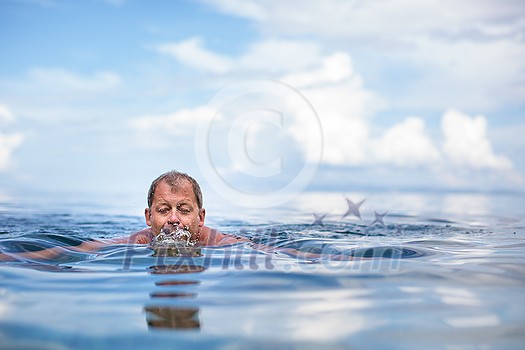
(436, 271)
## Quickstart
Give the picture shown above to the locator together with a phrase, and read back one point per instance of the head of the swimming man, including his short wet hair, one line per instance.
(175, 201)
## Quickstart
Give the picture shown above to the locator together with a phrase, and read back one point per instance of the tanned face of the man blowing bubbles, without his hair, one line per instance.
(175, 207)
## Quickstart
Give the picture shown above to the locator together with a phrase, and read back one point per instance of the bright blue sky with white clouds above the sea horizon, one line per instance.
(258, 99)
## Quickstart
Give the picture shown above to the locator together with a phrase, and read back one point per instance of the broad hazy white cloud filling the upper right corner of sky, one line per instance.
(468, 53)
